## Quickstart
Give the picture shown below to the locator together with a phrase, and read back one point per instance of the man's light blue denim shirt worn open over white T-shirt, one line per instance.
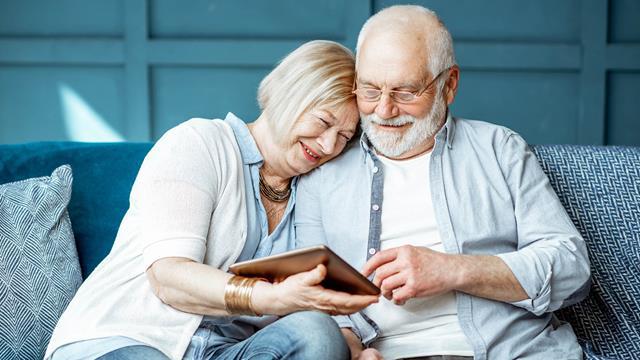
(490, 197)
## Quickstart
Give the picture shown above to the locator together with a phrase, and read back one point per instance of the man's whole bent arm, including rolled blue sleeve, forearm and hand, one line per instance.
(550, 254)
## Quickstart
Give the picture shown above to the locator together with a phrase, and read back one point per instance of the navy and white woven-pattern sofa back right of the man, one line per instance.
(600, 188)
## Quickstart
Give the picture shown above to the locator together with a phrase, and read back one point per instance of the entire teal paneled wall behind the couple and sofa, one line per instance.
(556, 71)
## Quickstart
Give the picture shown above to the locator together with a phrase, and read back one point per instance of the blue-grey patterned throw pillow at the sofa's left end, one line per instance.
(39, 269)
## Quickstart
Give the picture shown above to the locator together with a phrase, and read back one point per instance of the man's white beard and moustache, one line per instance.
(395, 144)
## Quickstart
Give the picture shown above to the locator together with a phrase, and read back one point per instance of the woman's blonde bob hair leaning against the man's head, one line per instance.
(318, 74)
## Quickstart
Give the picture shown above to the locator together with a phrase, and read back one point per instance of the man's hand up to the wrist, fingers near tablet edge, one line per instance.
(408, 271)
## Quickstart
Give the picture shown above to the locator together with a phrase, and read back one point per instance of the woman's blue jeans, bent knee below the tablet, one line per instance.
(301, 335)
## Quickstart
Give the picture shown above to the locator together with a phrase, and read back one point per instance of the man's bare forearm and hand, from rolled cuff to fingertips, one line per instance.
(408, 271)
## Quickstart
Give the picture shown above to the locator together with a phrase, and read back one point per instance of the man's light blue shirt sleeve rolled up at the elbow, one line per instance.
(551, 261)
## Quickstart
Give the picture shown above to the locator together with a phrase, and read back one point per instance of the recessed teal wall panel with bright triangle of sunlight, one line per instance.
(53, 102)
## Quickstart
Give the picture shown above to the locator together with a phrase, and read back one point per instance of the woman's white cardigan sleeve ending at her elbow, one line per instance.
(172, 197)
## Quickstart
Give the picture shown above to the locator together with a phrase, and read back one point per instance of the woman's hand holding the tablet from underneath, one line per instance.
(304, 292)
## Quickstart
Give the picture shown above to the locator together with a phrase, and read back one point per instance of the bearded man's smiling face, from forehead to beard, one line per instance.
(398, 130)
